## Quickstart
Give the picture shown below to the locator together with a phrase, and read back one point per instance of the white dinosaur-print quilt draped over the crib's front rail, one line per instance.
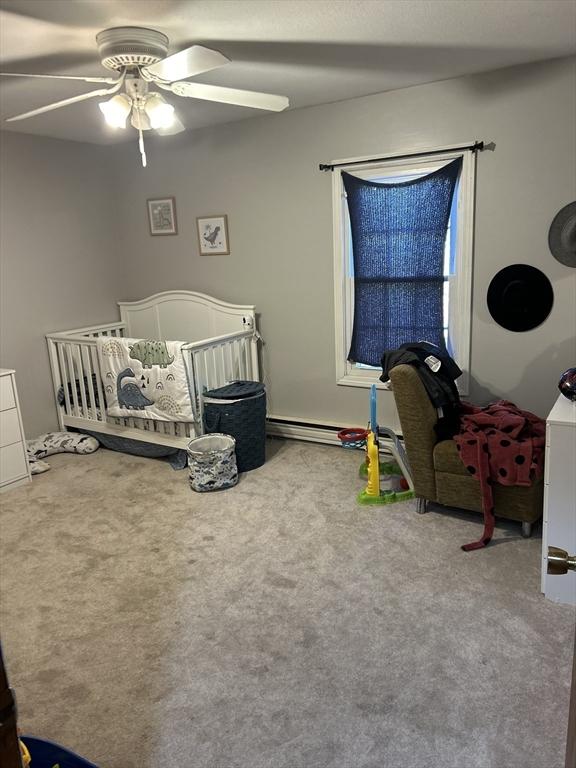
(145, 379)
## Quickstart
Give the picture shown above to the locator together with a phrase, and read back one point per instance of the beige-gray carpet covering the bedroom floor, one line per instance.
(274, 625)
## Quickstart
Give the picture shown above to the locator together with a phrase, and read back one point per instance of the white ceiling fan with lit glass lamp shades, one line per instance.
(139, 56)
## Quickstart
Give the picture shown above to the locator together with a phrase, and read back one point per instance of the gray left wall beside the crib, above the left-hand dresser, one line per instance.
(58, 264)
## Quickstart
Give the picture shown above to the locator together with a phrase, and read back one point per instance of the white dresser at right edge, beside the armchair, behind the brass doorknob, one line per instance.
(559, 524)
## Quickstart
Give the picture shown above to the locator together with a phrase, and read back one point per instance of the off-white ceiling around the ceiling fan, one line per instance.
(313, 51)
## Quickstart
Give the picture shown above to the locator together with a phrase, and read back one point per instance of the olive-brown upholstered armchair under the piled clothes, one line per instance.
(438, 473)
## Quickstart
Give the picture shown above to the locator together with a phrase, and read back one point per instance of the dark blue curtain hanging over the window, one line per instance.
(398, 239)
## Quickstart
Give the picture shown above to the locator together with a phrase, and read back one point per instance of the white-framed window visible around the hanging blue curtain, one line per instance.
(457, 260)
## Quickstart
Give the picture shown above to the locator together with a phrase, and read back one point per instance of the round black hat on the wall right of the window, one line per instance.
(520, 297)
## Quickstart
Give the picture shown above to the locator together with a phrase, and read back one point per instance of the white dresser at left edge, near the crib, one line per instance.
(14, 469)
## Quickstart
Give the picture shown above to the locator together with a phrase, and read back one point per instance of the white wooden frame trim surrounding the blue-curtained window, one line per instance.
(460, 313)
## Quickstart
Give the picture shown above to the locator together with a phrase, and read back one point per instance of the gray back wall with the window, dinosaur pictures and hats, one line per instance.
(263, 174)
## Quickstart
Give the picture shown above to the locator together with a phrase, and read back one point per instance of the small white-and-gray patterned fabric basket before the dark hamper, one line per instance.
(212, 462)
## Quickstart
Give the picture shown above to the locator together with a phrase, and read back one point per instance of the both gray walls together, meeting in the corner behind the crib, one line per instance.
(75, 234)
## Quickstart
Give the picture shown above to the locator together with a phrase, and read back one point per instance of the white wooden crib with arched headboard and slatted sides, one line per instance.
(221, 346)
